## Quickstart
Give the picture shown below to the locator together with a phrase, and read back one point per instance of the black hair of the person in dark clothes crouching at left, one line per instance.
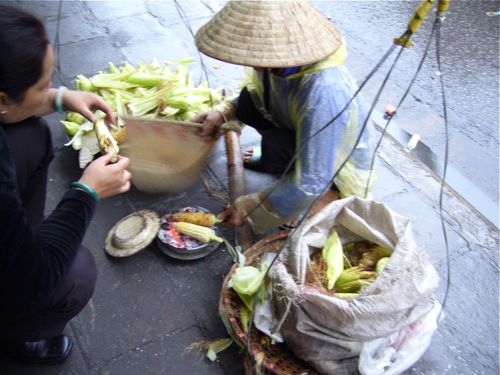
(23, 46)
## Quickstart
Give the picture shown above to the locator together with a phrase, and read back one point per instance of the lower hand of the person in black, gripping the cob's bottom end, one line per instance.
(107, 179)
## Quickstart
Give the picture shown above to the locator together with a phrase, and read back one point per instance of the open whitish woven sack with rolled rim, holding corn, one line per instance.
(326, 331)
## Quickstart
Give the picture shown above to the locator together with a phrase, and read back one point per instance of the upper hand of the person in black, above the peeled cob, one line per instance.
(86, 103)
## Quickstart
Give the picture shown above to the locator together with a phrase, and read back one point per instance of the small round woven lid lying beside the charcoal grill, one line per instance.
(132, 233)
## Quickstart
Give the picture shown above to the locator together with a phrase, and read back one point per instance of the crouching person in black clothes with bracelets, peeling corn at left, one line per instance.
(46, 276)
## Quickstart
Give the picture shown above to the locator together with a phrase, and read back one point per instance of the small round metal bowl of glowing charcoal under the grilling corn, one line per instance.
(180, 246)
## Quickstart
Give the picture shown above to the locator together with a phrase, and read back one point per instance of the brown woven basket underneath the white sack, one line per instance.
(275, 358)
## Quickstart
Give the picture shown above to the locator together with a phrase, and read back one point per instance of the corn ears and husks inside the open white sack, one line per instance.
(346, 269)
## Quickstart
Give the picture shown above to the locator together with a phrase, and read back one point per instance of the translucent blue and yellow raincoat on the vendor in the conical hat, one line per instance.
(305, 102)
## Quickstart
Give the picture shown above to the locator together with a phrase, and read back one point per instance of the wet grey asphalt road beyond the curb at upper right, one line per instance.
(469, 67)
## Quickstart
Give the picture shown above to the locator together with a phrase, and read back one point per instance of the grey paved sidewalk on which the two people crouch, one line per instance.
(147, 309)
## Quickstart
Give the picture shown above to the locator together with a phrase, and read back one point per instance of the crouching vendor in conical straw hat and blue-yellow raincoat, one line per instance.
(296, 86)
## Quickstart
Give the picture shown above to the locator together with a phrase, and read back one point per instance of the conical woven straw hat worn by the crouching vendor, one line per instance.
(268, 33)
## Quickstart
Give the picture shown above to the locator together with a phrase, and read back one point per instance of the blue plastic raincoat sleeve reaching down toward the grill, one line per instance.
(324, 134)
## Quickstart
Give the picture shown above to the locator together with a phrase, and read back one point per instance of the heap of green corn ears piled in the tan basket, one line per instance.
(164, 91)
